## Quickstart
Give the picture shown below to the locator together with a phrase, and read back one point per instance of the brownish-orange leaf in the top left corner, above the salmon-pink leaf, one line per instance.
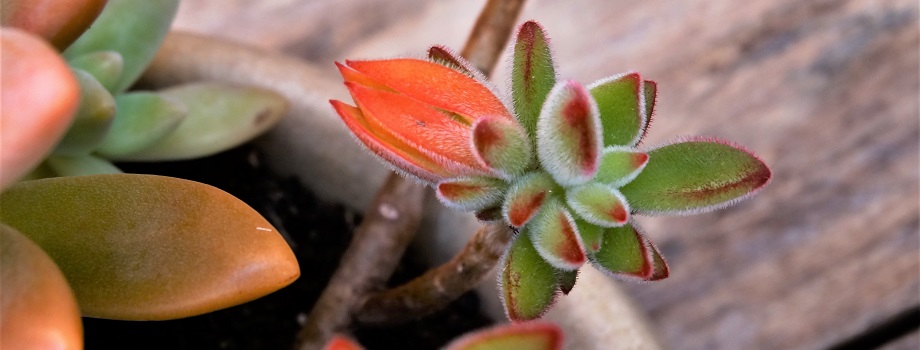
(59, 22)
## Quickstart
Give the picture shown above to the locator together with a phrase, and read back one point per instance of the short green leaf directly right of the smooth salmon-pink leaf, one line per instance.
(93, 119)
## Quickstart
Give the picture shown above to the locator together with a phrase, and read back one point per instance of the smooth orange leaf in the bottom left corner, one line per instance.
(38, 309)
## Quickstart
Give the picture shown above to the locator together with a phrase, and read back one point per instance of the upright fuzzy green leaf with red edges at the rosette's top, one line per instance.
(533, 74)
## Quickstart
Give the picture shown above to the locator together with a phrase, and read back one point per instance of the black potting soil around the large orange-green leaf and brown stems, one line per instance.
(318, 233)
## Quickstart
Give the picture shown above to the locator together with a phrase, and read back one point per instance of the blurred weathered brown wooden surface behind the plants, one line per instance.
(825, 91)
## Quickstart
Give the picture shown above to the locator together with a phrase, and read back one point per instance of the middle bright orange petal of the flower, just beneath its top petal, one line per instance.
(419, 126)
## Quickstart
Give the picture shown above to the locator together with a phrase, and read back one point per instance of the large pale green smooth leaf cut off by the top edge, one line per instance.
(133, 28)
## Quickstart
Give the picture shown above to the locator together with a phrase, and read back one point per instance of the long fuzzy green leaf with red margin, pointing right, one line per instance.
(694, 176)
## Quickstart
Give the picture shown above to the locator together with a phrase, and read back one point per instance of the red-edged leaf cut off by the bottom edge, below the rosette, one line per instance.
(515, 336)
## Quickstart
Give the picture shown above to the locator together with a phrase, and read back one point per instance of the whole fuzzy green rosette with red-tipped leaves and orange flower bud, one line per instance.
(563, 166)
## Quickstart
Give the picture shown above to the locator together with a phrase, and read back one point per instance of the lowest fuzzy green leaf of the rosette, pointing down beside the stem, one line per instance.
(527, 283)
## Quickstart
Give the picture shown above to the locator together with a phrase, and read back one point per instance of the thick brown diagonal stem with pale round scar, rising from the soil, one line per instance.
(388, 227)
